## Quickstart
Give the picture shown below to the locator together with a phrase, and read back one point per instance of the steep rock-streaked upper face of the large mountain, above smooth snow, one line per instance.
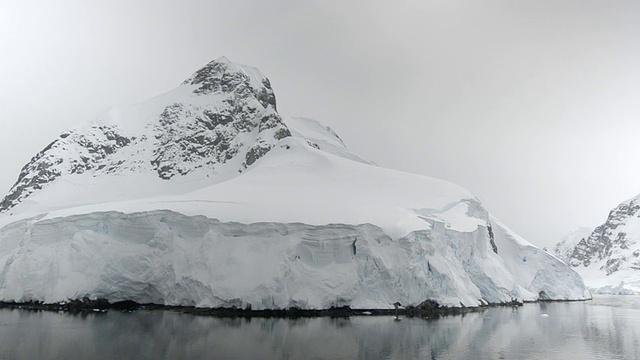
(217, 123)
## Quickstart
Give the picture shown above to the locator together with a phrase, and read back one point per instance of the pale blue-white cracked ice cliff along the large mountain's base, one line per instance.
(168, 258)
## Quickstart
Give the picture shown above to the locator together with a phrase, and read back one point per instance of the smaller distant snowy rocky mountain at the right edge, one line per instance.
(608, 258)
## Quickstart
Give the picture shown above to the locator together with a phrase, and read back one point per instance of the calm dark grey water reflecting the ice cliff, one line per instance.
(605, 328)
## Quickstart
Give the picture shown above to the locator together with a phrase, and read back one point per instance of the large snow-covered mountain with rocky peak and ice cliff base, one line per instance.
(206, 196)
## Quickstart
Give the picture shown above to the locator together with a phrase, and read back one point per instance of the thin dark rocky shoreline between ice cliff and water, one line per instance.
(428, 309)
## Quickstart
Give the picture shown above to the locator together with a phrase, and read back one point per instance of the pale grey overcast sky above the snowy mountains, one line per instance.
(532, 105)
